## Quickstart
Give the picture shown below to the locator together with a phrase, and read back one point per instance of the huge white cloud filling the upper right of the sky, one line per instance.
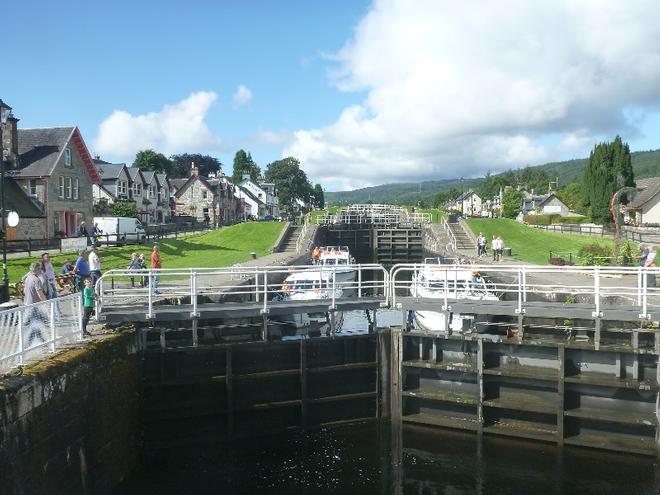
(459, 88)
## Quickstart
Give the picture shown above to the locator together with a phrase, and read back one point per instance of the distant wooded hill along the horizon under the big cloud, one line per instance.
(645, 164)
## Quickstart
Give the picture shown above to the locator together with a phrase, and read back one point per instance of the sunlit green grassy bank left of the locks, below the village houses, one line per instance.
(219, 248)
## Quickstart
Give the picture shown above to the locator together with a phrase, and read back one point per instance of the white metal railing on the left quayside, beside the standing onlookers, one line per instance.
(28, 332)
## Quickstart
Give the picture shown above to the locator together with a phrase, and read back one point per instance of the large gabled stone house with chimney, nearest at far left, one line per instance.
(54, 167)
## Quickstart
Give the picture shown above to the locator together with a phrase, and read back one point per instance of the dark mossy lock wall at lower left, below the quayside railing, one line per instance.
(70, 424)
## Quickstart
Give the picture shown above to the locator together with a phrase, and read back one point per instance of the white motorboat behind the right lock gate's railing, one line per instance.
(440, 278)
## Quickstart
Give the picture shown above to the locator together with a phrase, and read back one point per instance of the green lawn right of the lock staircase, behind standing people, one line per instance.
(529, 244)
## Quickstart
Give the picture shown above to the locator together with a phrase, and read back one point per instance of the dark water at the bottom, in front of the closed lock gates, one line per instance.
(361, 459)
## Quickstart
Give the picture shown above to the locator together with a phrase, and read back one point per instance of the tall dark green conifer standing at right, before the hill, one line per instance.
(608, 170)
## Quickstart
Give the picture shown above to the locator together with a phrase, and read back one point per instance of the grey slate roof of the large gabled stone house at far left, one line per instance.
(40, 149)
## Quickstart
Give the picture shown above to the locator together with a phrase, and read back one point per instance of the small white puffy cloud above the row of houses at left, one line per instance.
(175, 128)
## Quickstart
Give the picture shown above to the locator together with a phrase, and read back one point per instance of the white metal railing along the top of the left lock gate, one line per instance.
(263, 285)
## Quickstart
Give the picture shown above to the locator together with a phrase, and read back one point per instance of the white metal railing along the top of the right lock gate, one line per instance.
(595, 285)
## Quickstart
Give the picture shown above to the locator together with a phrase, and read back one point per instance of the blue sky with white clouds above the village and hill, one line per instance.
(361, 93)
